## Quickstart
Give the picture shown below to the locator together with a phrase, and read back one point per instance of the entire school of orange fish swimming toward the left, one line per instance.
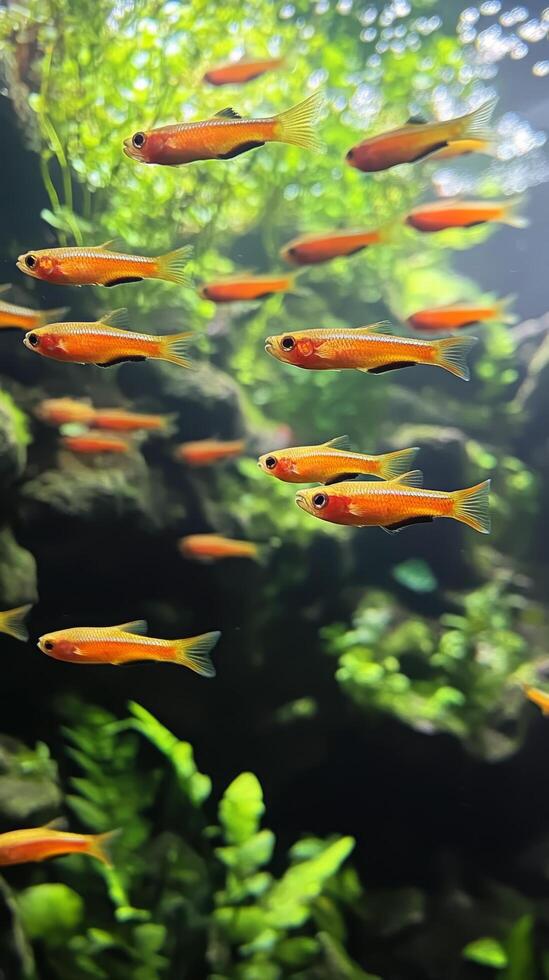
(393, 501)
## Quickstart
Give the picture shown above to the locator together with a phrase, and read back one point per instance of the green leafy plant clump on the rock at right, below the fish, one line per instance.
(460, 674)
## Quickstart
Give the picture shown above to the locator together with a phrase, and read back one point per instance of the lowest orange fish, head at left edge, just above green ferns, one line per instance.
(39, 843)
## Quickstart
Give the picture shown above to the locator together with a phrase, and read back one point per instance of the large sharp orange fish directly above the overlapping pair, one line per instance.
(368, 349)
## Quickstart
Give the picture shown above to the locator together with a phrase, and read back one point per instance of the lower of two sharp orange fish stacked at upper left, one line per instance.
(104, 343)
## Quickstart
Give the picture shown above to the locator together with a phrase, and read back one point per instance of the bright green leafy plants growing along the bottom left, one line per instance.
(185, 897)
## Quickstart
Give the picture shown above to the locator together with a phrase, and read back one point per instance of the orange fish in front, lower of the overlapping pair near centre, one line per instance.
(396, 504)
